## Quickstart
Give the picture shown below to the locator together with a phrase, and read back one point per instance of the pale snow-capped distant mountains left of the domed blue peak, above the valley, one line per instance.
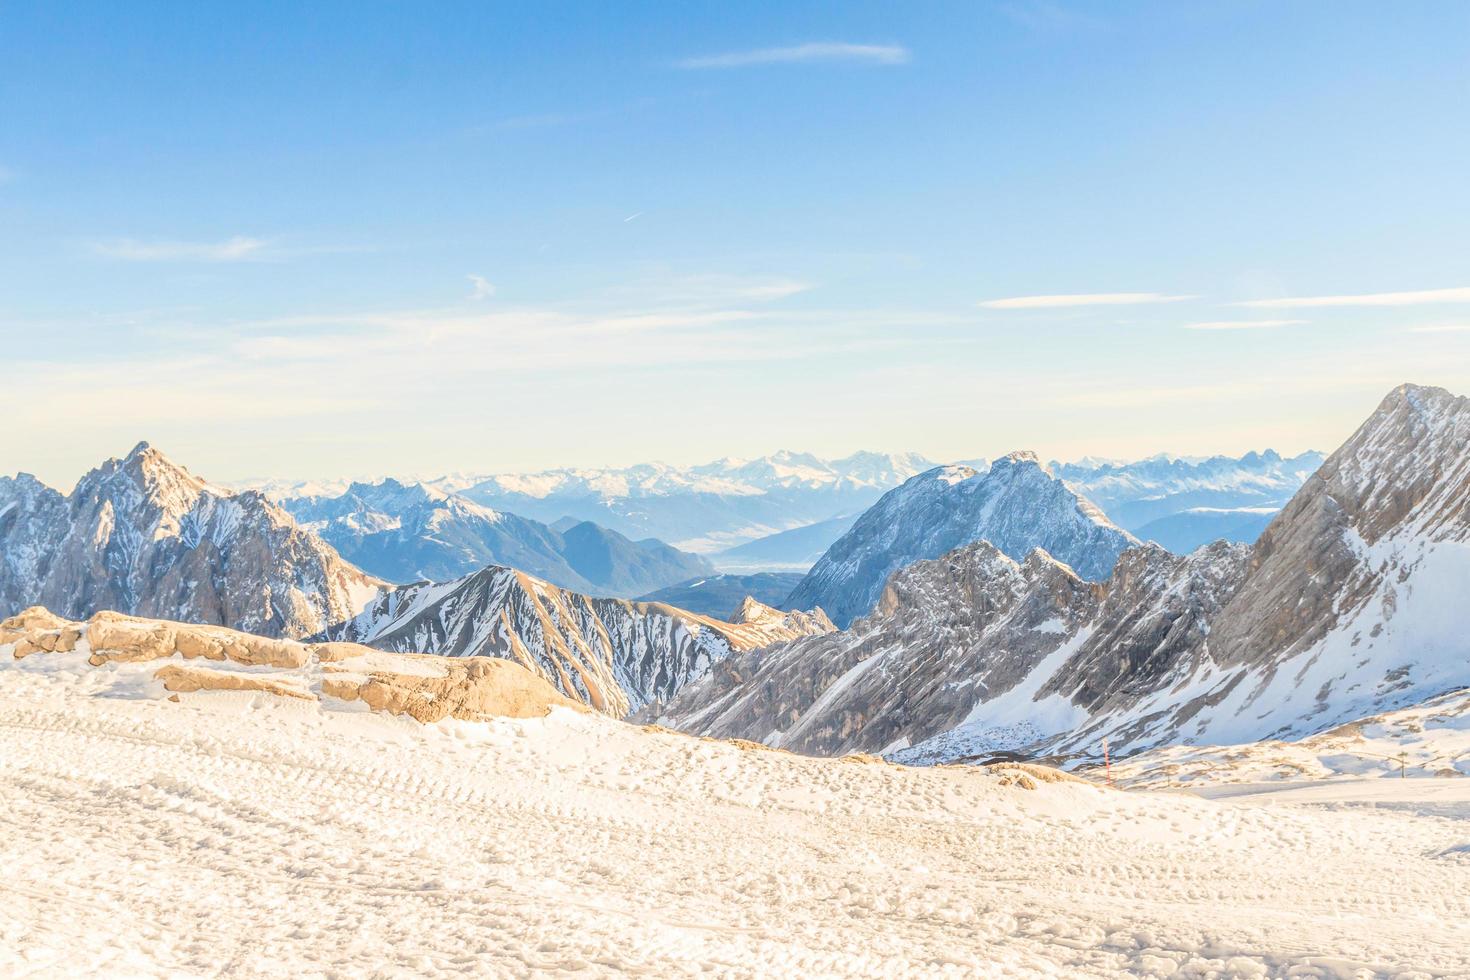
(700, 509)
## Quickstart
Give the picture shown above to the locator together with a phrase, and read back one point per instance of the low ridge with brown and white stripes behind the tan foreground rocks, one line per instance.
(612, 655)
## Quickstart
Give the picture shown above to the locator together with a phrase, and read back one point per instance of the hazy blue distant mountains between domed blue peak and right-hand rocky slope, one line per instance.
(1186, 503)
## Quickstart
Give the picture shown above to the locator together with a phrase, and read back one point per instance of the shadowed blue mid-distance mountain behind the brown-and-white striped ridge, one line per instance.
(411, 533)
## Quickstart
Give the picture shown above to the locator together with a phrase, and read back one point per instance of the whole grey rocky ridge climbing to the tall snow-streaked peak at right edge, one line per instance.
(1350, 605)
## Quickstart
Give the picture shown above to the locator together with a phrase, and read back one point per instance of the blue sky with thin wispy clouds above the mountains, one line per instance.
(321, 240)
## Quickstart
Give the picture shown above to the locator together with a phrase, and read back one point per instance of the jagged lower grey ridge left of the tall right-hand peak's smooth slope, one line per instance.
(975, 650)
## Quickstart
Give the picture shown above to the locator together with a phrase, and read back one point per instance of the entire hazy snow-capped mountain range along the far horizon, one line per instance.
(783, 512)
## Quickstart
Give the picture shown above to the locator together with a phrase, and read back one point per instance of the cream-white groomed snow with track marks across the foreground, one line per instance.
(248, 835)
